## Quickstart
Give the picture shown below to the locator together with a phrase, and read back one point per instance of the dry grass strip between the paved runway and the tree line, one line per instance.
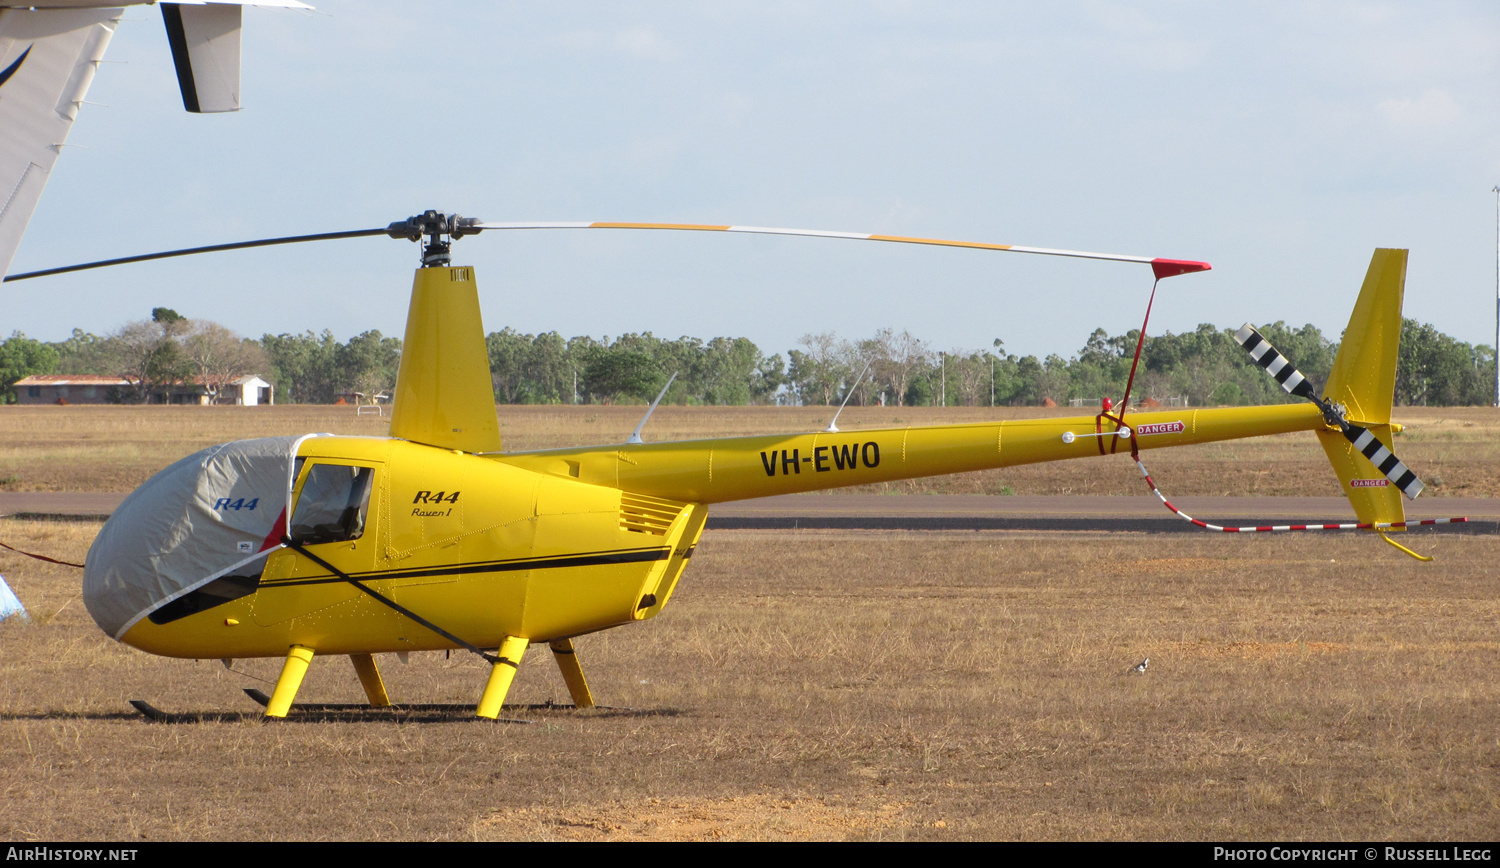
(115, 449)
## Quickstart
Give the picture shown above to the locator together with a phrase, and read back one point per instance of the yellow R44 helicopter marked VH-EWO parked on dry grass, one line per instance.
(434, 539)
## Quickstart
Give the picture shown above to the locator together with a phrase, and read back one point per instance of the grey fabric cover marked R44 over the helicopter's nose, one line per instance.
(203, 518)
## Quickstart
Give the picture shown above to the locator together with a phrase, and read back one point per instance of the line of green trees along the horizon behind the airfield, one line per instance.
(1201, 368)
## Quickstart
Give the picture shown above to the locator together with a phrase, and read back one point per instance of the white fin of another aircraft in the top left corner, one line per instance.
(47, 62)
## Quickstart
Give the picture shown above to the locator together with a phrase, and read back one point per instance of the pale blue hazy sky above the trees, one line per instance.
(1282, 143)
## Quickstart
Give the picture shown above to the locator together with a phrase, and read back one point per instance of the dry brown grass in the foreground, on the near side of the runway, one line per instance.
(835, 686)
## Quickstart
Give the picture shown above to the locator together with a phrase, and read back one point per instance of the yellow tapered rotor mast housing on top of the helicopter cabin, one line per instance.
(445, 395)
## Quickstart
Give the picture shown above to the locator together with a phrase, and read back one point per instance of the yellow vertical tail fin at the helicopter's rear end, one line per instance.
(1364, 383)
